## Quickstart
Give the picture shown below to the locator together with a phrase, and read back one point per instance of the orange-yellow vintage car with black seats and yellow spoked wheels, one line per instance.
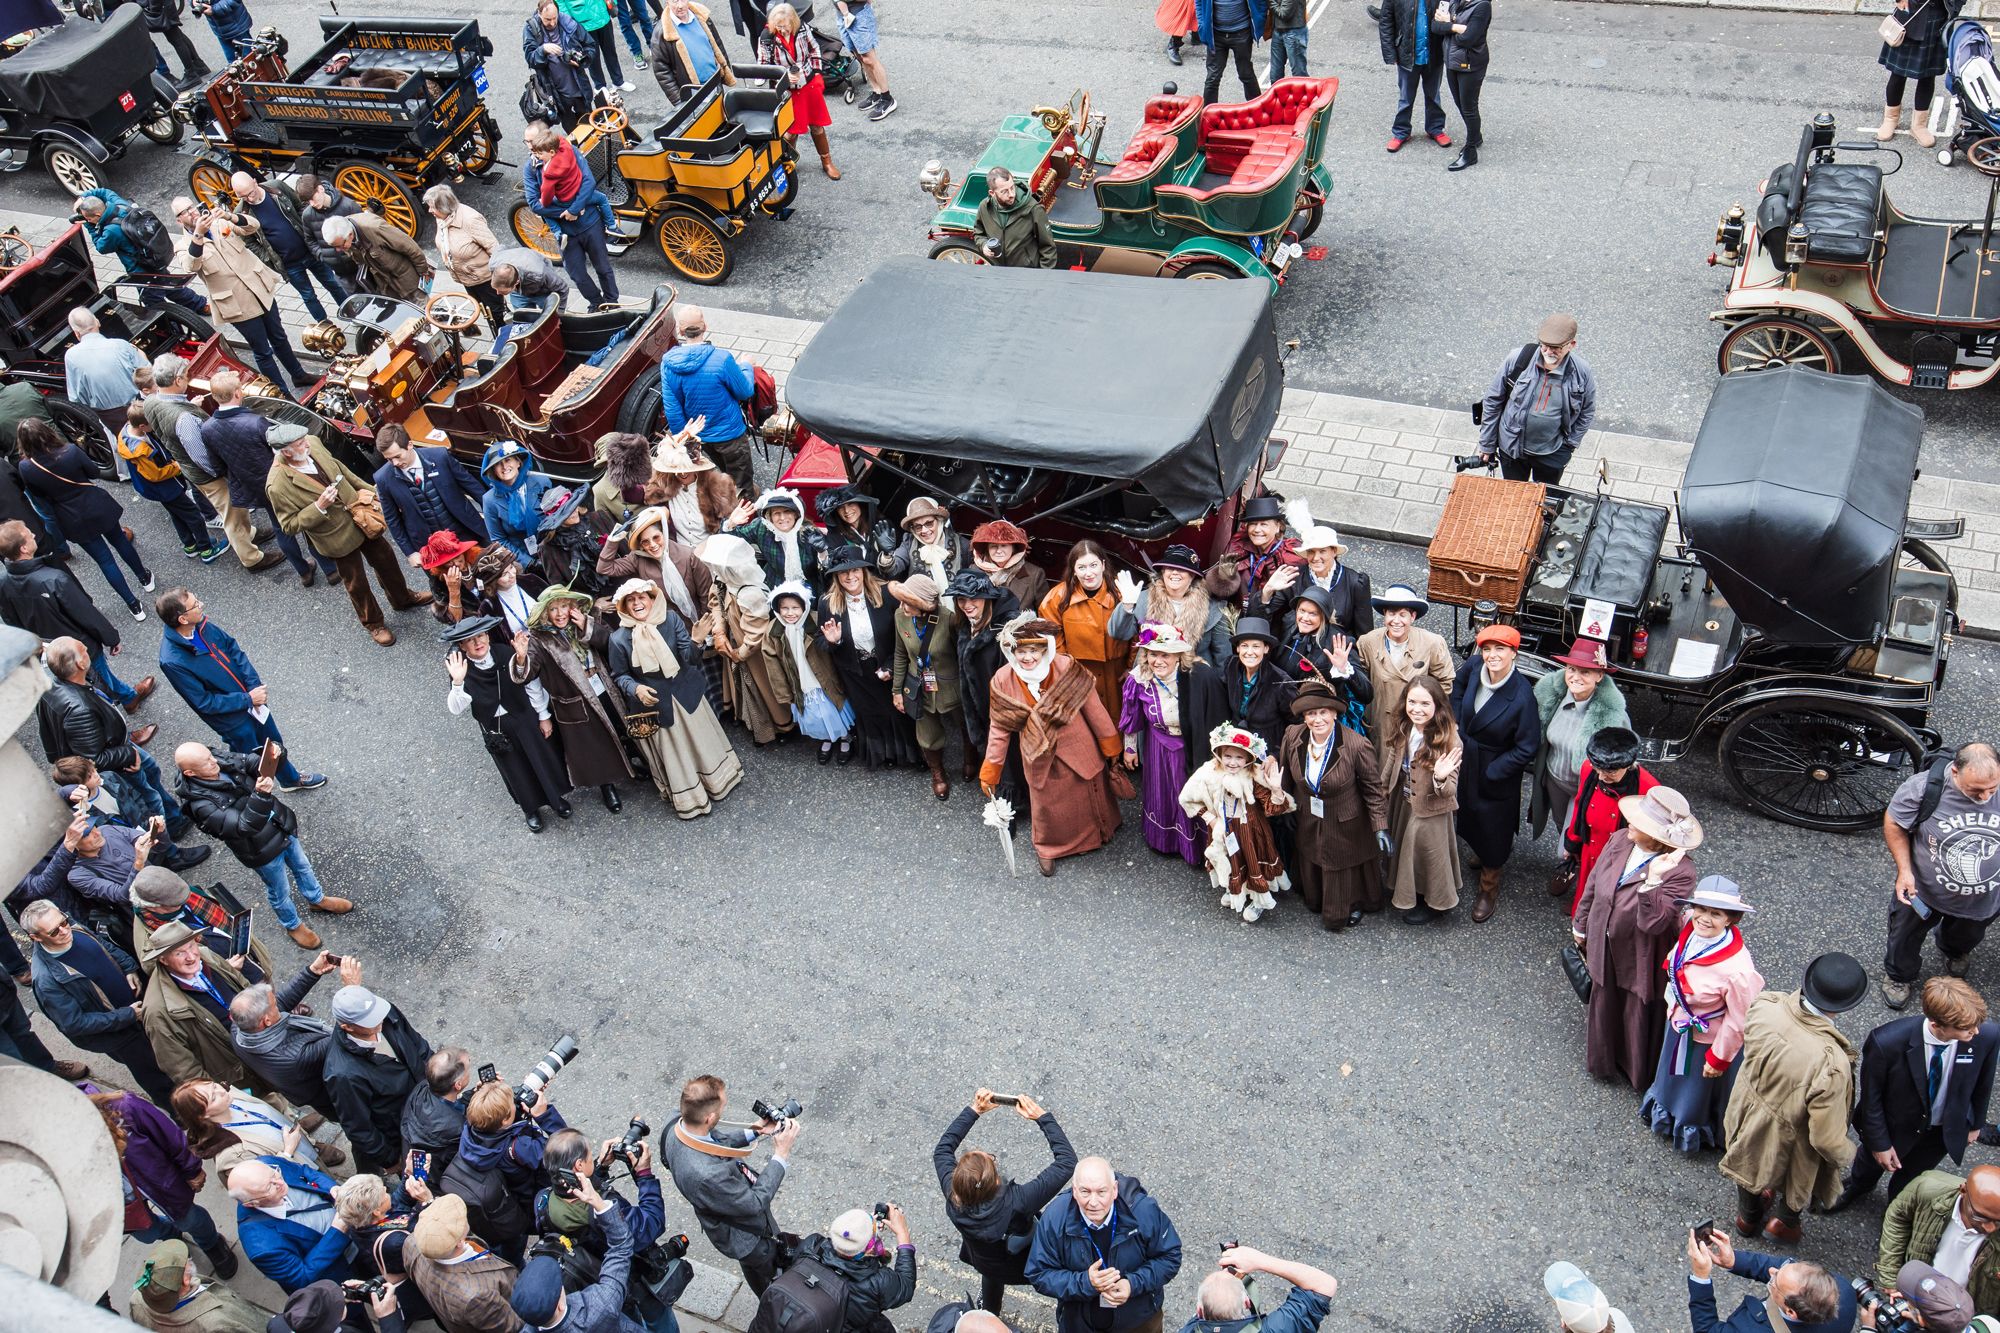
(693, 187)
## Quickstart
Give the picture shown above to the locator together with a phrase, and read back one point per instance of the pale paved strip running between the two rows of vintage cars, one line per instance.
(1377, 467)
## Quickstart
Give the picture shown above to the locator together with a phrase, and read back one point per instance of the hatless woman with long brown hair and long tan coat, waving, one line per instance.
(1421, 762)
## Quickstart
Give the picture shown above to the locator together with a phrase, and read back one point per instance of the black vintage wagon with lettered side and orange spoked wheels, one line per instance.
(383, 109)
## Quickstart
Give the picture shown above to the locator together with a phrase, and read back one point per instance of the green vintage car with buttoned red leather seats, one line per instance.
(1199, 193)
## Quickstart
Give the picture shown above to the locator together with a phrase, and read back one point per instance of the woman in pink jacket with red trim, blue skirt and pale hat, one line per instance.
(1709, 988)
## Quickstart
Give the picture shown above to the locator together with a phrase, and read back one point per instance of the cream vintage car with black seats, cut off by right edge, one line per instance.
(1831, 263)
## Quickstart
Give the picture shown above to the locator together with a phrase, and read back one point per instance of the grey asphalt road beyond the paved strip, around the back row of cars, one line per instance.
(1617, 135)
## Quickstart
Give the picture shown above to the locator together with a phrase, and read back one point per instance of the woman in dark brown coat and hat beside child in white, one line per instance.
(1343, 818)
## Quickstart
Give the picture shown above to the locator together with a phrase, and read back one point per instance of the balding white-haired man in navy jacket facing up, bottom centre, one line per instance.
(1107, 1248)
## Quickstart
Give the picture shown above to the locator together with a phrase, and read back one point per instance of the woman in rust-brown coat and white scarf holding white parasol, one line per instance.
(1067, 738)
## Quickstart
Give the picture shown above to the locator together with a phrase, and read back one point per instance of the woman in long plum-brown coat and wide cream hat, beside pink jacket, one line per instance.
(1627, 924)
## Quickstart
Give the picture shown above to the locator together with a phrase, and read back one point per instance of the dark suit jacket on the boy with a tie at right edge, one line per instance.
(1893, 1112)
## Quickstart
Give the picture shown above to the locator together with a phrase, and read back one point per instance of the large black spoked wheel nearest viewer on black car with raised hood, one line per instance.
(1819, 764)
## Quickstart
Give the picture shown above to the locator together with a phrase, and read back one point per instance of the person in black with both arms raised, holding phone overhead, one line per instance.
(995, 1216)
